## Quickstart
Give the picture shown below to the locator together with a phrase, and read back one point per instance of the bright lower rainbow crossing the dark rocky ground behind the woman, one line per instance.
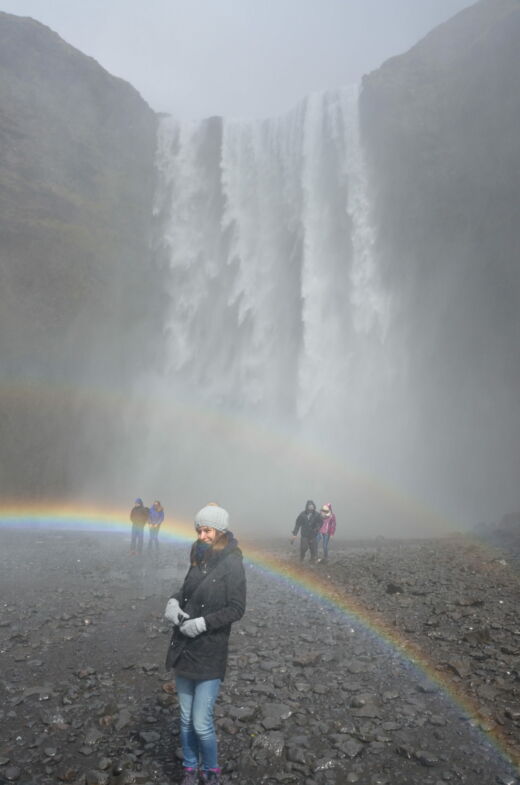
(75, 517)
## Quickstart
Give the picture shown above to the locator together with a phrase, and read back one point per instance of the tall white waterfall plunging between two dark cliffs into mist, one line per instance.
(277, 313)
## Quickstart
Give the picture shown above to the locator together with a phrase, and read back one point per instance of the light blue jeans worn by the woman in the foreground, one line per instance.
(198, 738)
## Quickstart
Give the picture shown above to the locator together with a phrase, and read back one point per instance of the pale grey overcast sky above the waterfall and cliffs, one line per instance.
(237, 58)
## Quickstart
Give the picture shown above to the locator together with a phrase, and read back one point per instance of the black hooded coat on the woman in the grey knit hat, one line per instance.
(214, 588)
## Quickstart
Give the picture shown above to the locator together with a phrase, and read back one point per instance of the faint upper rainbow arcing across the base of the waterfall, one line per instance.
(241, 431)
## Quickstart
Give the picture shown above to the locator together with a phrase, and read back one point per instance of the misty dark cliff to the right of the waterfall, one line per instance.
(441, 129)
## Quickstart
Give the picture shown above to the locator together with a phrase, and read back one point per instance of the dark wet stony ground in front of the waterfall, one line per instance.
(311, 695)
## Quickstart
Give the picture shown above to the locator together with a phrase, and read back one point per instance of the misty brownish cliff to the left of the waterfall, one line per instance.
(76, 187)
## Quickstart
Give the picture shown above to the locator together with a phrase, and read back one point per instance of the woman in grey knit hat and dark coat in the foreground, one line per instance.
(212, 597)
